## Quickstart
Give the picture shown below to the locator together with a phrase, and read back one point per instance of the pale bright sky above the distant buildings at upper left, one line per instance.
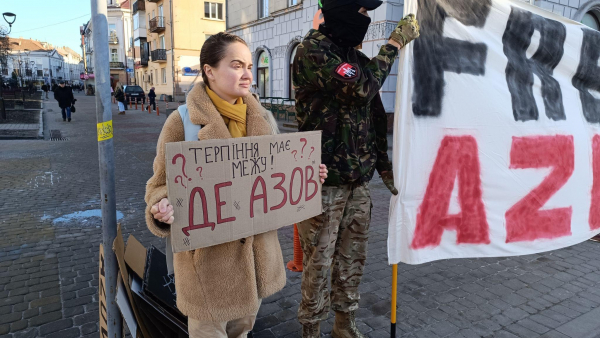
(54, 21)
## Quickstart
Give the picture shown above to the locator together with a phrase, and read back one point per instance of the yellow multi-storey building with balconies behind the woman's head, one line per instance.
(168, 36)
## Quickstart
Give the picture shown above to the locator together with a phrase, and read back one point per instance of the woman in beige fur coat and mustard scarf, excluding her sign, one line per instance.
(220, 287)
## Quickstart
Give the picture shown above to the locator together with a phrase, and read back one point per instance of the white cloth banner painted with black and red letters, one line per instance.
(497, 133)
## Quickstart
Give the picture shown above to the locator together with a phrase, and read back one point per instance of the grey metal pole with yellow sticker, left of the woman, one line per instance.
(106, 157)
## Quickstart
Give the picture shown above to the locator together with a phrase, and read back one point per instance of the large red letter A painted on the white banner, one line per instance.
(457, 157)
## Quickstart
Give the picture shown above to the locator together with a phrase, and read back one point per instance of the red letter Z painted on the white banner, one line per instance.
(524, 220)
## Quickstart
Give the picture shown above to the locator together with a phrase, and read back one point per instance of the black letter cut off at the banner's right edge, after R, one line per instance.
(588, 75)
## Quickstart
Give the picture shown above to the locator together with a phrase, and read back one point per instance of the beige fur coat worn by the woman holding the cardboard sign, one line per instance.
(222, 282)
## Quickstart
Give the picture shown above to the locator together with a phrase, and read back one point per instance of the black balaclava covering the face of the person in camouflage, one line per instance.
(345, 25)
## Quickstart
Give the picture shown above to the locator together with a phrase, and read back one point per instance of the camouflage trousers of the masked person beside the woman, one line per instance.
(336, 239)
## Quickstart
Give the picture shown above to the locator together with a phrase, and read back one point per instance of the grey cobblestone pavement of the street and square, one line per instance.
(49, 268)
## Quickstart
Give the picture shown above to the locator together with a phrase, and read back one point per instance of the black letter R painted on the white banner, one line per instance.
(519, 70)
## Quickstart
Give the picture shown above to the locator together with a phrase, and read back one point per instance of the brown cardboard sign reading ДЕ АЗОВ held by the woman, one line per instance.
(224, 190)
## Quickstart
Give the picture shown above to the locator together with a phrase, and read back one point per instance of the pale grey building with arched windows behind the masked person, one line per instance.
(274, 28)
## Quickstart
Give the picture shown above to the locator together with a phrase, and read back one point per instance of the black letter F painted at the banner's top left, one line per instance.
(434, 54)
